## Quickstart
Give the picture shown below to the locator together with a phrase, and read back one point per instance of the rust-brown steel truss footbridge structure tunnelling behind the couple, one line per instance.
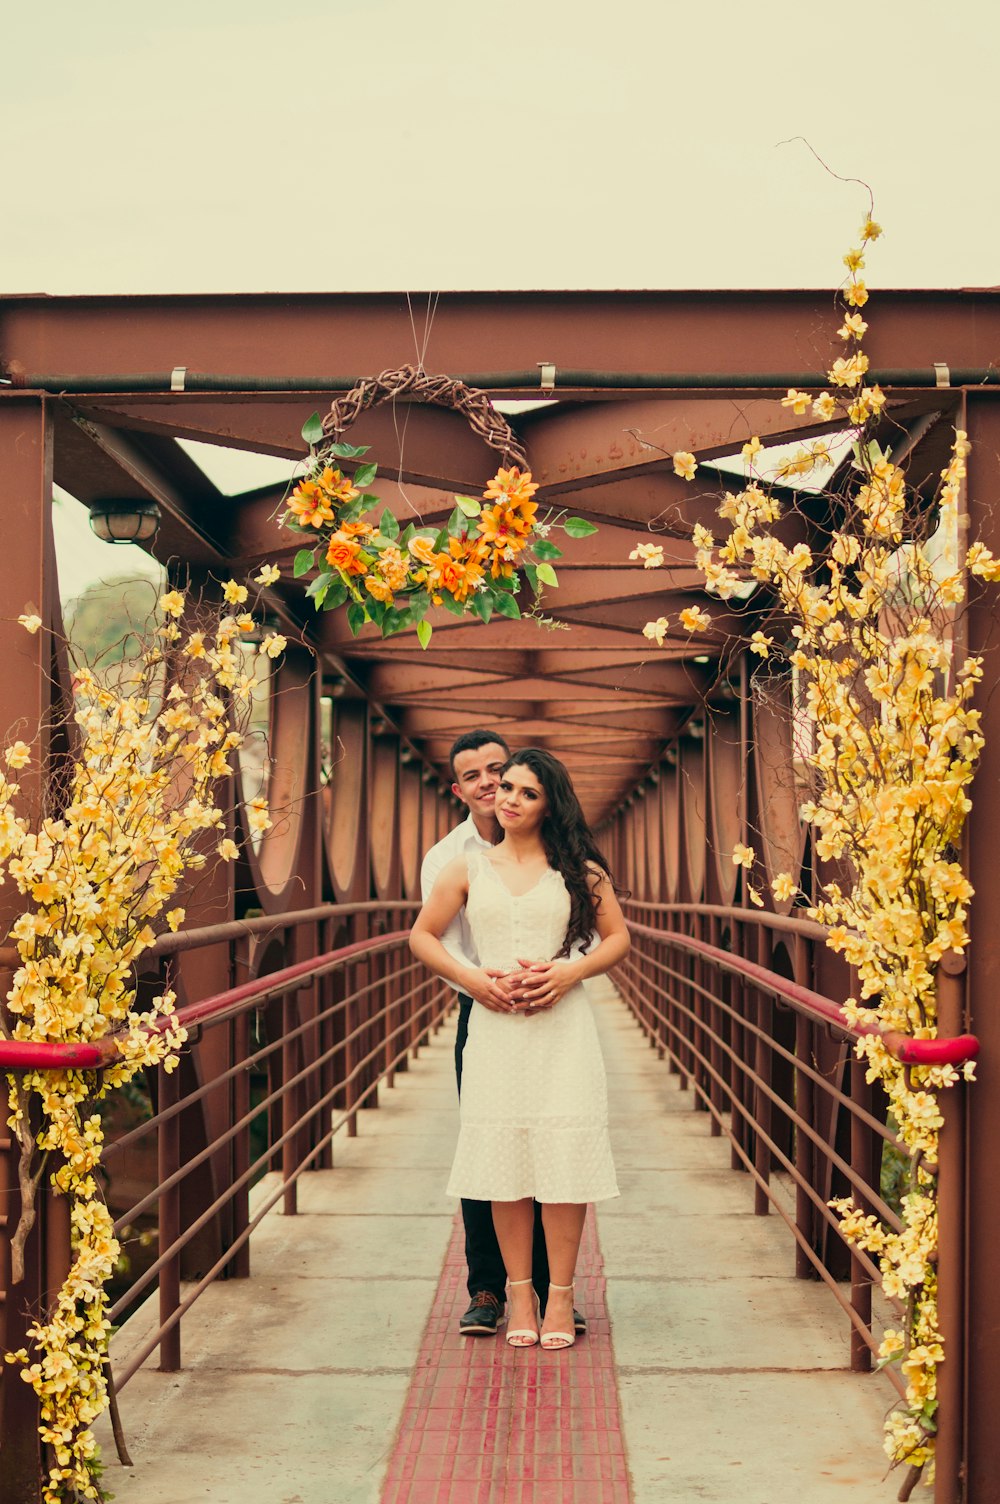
(679, 750)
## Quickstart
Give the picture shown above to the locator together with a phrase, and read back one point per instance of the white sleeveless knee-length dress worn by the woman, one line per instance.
(535, 1097)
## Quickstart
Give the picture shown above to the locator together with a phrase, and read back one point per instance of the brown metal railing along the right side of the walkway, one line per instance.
(772, 1061)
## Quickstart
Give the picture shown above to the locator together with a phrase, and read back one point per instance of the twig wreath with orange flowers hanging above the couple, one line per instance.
(476, 565)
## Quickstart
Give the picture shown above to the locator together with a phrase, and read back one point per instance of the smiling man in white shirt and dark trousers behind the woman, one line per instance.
(477, 759)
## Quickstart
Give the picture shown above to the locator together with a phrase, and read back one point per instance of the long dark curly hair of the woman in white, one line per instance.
(568, 841)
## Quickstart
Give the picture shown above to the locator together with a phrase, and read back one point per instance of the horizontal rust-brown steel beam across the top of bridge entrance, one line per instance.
(368, 333)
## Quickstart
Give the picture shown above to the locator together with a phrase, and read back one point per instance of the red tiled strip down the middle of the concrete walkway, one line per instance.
(485, 1424)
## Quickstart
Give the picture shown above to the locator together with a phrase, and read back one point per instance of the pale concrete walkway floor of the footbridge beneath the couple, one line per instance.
(732, 1375)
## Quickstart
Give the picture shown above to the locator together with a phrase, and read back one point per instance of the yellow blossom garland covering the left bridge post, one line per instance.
(136, 813)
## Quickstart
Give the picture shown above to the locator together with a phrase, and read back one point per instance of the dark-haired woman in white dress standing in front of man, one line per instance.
(535, 1100)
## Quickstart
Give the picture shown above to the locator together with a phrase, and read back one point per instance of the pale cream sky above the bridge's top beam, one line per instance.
(348, 145)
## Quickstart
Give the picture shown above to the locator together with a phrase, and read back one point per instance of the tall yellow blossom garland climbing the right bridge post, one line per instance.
(892, 744)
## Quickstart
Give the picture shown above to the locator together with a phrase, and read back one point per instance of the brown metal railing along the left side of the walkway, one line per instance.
(273, 1070)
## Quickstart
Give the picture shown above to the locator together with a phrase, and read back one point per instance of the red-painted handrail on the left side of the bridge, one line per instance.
(22, 1055)
